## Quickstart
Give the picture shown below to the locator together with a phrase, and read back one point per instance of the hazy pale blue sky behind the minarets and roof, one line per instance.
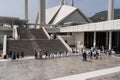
(15, 8)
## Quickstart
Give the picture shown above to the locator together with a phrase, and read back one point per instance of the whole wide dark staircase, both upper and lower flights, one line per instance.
(28, 45)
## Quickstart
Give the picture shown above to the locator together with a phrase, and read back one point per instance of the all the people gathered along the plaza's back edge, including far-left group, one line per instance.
(87, 55)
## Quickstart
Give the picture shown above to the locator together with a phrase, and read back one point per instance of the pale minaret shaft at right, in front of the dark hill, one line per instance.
(110, 9)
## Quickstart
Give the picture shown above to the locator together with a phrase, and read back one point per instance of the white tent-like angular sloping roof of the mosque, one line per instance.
(57, 14)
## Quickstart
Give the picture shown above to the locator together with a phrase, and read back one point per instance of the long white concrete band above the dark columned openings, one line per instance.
(100, 26)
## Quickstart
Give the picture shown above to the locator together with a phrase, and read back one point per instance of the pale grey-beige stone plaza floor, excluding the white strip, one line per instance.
(48, 69)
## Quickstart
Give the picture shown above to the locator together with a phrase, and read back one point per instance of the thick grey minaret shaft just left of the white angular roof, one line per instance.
(42, 8)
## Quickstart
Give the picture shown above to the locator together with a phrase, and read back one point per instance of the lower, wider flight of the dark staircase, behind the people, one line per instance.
(28, 46)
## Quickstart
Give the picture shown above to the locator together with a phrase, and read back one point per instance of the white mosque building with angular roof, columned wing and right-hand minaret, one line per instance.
(78, 30)
